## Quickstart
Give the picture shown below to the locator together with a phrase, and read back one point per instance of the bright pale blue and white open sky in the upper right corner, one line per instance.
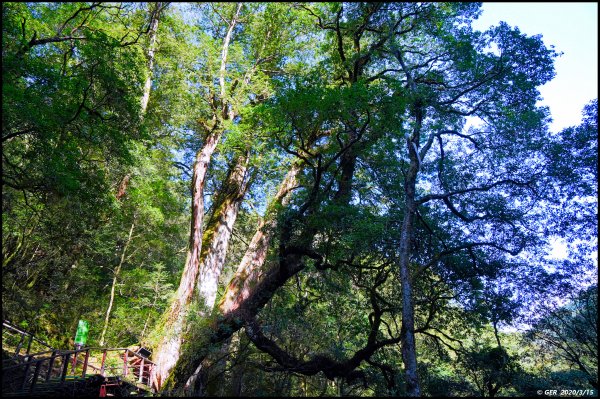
(573, 29)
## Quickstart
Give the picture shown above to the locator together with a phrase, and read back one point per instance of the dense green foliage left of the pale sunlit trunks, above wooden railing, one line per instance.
(72, 130)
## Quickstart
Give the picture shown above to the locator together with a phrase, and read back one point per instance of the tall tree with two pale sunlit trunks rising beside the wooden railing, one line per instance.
(242, 48)
